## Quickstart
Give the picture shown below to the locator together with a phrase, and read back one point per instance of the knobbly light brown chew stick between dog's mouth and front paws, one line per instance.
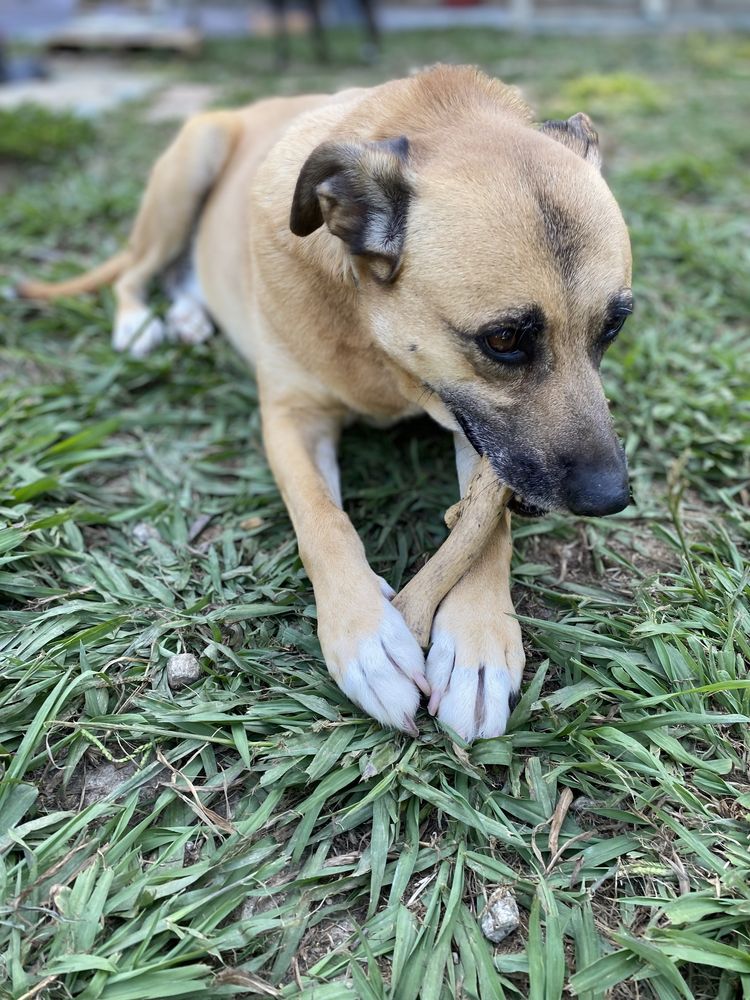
(472, 520)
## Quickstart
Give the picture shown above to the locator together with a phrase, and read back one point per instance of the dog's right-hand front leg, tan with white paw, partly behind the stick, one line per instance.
(476, 659)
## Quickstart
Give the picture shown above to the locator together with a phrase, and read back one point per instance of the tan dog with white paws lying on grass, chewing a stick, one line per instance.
(417, 246)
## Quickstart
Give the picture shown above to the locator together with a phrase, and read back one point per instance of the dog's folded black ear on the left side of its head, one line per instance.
(361, 192)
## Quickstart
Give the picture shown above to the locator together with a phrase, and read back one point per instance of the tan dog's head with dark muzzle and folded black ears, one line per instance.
(496, 273)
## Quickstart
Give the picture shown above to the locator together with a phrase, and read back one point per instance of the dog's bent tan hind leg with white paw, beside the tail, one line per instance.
(179, 183)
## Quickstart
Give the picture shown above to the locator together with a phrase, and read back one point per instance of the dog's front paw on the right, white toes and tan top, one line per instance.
(474, 670)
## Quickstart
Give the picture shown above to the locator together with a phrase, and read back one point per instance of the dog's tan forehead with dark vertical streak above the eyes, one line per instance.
(527, 219)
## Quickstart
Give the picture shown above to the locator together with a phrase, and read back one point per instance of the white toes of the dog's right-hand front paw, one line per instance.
(472, 691)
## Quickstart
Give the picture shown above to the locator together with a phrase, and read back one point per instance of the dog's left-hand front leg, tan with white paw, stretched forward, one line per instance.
(369, 651)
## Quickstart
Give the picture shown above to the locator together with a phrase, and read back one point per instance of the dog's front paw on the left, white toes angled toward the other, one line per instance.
(380, 667)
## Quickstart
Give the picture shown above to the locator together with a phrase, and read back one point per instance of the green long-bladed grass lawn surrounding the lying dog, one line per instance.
(253, 834)
